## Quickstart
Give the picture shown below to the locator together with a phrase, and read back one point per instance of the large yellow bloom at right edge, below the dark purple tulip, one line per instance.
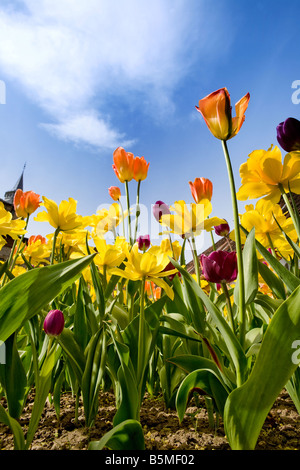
(264, 174)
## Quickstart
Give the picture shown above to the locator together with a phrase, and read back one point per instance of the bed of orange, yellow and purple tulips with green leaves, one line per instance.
(81, 316)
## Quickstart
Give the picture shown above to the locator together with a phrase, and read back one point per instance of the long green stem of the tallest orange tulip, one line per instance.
(241, 313)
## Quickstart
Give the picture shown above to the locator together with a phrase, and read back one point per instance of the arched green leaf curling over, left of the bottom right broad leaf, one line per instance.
(207, 383)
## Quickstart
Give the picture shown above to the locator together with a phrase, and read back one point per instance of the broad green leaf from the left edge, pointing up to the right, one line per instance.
(27, 294)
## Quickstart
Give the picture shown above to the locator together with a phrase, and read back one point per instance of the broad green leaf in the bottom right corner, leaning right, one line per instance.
(248, 406)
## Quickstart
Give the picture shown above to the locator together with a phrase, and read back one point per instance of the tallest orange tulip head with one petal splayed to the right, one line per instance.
(216, 111)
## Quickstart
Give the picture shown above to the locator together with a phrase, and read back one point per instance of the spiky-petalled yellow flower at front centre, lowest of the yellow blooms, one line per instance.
(148, 266)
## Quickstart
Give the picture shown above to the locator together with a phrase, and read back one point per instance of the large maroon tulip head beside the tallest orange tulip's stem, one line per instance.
(219, 266)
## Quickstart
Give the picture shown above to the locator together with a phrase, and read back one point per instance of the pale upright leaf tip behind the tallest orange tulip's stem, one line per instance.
(250, 271)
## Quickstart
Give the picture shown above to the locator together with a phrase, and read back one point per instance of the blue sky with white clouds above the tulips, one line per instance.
(83, 78)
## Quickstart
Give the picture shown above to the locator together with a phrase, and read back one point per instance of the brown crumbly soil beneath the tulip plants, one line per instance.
(161, 427)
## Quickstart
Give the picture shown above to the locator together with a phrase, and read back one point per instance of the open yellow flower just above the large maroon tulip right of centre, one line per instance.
(190, 220)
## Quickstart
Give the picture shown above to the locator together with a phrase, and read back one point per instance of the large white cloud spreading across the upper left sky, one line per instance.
(70, 54)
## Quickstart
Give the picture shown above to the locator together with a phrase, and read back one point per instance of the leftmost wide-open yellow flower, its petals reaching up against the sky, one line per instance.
(63, 217)
